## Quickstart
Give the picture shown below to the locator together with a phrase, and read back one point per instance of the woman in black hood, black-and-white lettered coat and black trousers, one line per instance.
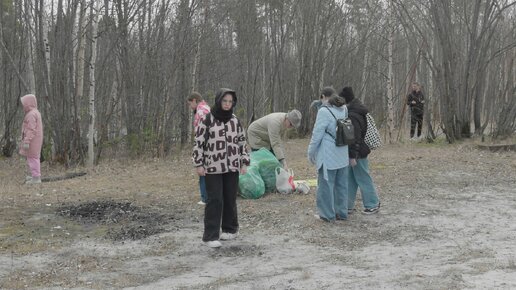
(220, 154)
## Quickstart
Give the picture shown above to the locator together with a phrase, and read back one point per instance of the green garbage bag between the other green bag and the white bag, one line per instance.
(267, 163)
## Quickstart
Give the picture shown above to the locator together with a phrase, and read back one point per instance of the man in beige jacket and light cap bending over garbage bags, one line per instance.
(267, 132)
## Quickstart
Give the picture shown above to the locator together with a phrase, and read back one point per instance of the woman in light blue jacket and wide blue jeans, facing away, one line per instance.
(331, 161)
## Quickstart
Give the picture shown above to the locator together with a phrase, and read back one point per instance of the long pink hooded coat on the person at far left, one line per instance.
(32, 128)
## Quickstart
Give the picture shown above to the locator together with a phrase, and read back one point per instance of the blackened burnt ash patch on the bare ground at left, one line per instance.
(124, 220)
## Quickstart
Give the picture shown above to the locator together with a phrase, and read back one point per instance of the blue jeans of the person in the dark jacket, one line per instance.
(359, 178)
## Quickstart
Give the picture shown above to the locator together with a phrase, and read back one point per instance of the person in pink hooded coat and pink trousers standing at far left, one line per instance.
(32, 138)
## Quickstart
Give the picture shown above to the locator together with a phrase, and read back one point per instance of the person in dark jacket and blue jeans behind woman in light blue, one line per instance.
(359, 176)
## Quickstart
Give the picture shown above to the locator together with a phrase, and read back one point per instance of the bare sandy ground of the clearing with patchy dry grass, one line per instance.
(448, 221)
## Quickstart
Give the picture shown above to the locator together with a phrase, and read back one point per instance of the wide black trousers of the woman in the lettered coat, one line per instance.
(221, 208)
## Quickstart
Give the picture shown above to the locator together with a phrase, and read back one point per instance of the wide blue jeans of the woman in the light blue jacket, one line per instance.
(332, 194)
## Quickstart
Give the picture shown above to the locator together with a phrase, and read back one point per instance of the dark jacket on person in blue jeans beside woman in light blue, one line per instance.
(357, 113)
